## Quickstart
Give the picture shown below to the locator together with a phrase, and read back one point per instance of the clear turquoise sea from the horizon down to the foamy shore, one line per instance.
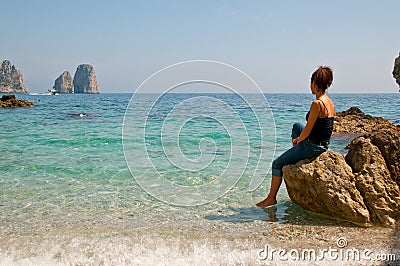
(67, 174)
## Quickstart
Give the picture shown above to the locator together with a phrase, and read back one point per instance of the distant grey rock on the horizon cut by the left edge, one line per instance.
(11, 79)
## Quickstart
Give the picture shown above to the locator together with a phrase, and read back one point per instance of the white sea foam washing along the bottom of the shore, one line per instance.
(144, 250)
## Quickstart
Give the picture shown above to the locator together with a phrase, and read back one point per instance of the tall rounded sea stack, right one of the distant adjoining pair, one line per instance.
(85, 80)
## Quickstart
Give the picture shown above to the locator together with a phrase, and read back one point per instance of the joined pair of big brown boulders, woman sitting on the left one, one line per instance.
(362, 187)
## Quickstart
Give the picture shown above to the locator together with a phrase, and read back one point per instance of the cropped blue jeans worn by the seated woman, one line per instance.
(303, 150)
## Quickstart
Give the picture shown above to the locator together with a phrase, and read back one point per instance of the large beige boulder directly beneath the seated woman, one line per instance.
(326, 185)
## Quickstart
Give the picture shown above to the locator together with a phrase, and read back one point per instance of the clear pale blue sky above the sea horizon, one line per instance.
(277, 43)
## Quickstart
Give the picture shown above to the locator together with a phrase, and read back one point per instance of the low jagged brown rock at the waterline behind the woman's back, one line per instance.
(355, 121)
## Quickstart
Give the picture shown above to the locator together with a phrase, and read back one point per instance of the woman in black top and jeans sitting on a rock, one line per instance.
(310, 140)
